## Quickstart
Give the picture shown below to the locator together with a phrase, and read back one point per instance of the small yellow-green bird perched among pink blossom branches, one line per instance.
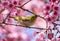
(26, 21)
